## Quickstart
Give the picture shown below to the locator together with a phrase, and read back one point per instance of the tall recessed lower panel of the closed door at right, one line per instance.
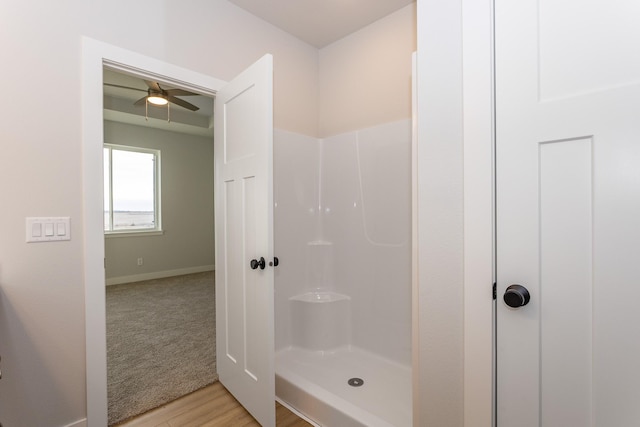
(566, 282)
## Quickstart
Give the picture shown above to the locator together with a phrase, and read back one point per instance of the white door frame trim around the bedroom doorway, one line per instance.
(95, 56)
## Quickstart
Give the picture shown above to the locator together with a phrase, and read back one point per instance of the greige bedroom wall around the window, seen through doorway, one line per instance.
(187, 242)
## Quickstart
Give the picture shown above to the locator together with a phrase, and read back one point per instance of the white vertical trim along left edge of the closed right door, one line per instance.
(478, 83)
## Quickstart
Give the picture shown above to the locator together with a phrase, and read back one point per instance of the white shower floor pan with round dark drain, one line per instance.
(316, 385)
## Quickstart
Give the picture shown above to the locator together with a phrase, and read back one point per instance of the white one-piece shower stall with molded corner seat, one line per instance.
(343, 286)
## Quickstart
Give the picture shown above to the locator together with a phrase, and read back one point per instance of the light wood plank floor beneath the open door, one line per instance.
(210, 406)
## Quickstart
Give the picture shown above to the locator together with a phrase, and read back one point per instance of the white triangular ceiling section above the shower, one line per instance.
(321, 22)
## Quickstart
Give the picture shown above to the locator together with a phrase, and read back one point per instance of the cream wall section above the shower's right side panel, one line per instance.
(365, 78)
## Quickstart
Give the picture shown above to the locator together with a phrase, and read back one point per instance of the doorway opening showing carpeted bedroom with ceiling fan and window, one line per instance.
(159, 244)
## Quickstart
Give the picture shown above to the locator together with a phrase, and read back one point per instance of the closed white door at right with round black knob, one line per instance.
(568, 212)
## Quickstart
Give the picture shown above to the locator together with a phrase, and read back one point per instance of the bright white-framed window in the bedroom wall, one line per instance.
(131, 189)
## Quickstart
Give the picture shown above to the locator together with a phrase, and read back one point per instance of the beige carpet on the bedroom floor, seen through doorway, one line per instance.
(160, 342)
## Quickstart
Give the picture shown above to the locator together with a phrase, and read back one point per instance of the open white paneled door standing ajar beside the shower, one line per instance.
(244, 232)
